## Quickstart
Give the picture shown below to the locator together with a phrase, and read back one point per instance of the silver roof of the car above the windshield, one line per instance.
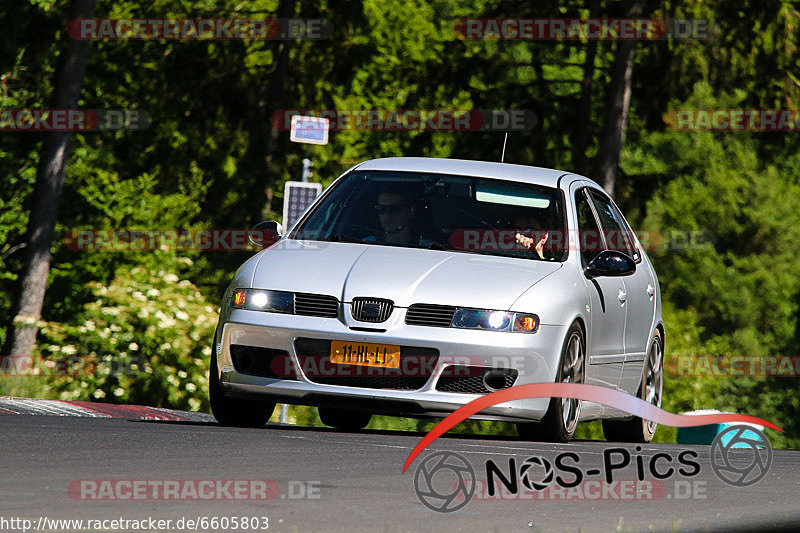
(462, 167)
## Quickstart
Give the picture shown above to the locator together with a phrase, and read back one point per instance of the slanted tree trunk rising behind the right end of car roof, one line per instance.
(619, 98)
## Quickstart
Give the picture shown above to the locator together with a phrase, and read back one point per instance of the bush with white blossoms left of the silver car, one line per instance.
(148, 336)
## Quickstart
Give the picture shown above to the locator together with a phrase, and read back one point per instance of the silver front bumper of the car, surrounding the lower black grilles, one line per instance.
(535, 356)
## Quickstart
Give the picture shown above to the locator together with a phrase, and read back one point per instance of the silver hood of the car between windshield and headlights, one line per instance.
(403, 275)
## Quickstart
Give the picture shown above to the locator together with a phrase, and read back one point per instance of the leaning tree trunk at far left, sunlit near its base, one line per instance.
(49, 181)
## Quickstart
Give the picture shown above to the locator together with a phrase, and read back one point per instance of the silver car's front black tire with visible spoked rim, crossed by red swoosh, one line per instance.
(553, 427)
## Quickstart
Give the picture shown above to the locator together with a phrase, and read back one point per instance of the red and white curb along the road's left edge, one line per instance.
(32, 406)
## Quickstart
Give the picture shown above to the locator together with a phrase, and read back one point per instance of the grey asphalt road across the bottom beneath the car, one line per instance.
(355, 480)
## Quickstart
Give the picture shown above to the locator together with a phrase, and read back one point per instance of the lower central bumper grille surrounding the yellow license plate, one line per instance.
(416, 367)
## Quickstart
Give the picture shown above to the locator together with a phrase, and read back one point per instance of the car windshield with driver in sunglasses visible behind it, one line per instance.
(439, 212)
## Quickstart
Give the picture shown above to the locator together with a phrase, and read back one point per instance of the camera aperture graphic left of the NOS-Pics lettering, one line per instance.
(444, 482)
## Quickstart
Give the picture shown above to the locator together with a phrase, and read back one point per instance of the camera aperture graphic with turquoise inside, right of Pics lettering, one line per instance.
(740, 455)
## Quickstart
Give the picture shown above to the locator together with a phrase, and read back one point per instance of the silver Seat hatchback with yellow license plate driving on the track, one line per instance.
(412, 286)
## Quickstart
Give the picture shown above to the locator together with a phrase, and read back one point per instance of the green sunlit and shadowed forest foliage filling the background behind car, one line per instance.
(211, 160)
